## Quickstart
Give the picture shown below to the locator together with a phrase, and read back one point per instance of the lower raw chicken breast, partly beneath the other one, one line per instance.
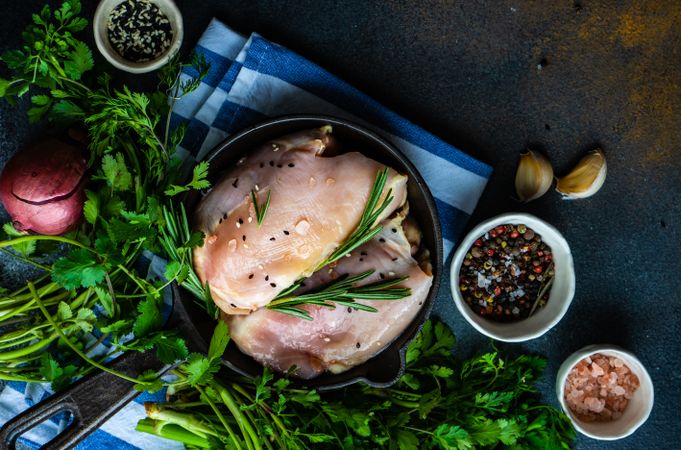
(338, 339)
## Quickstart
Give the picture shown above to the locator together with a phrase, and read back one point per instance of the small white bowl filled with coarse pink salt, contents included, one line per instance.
(605, 390)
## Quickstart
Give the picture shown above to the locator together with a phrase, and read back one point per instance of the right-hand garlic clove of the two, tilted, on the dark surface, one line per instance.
(586, 178)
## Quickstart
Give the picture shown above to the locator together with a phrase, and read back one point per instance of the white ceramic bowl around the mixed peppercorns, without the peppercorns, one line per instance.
(562, 290)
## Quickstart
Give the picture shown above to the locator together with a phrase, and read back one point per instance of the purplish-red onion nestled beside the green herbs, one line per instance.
(42, 187)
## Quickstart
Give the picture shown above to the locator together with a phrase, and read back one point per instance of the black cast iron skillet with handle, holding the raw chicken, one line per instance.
(98, 396)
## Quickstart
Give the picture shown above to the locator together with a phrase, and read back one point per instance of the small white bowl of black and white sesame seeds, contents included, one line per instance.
(138, 36)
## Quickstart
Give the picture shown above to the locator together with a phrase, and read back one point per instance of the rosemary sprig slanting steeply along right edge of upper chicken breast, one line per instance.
(365, 230)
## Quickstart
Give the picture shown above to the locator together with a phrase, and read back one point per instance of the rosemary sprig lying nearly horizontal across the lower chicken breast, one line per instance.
(339, 292)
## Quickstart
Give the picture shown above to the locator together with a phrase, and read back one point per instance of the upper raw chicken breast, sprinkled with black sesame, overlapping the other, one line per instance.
(316, 203)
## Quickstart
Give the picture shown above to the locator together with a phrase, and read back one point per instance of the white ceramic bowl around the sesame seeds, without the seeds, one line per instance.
(102, 13)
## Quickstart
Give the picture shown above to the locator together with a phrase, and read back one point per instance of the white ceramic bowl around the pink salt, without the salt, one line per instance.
(638, 409)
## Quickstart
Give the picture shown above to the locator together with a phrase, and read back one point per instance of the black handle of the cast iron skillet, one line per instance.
(90, 401)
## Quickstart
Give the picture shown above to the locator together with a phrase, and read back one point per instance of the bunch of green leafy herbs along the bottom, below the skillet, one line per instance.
(440, 402)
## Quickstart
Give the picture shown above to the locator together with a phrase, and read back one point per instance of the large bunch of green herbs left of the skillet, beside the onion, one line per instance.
(97, 289)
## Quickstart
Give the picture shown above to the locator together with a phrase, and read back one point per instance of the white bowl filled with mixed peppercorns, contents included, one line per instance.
(513, 277)
